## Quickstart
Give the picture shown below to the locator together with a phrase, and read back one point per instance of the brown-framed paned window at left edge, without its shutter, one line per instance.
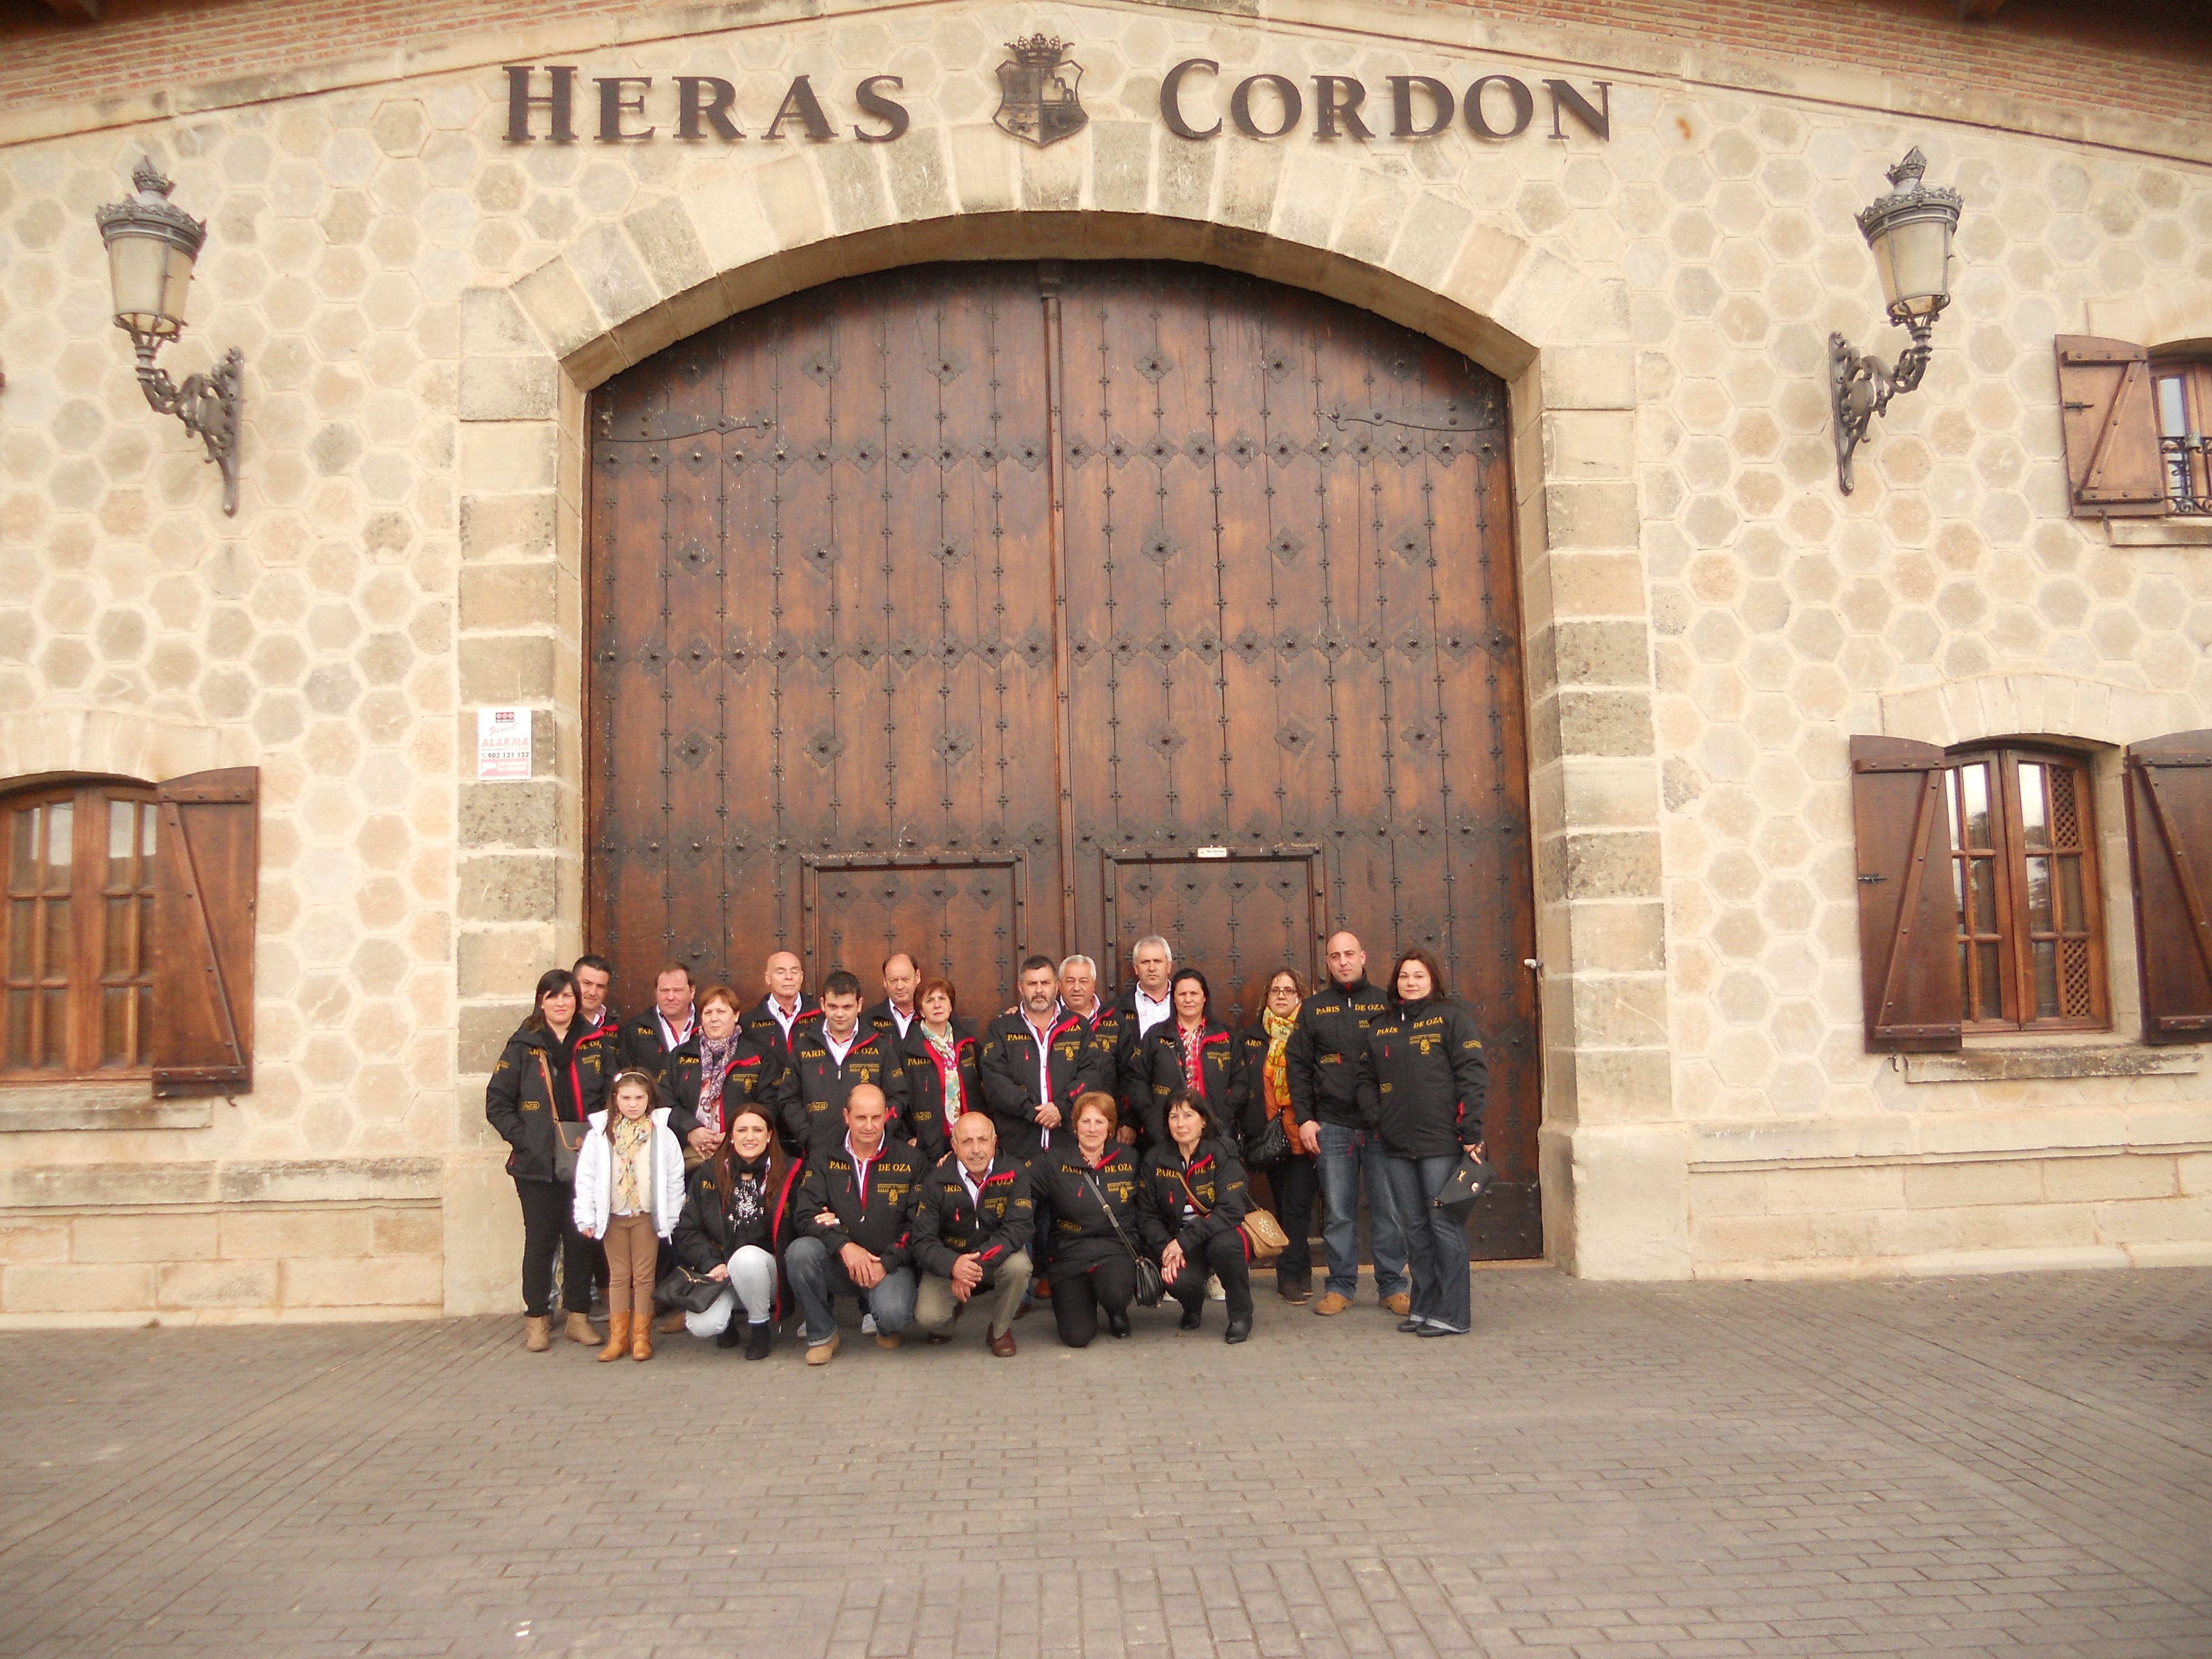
(76, 937)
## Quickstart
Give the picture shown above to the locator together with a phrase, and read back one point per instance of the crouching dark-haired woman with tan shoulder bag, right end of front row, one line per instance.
(1191, 1209)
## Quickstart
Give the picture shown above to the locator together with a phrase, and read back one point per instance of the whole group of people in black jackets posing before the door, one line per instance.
(744, 1165)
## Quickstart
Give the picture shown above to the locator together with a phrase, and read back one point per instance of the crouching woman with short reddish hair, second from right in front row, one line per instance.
(1092, 1207)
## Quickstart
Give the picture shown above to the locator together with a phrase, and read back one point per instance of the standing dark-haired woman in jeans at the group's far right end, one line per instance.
(1423, 1083)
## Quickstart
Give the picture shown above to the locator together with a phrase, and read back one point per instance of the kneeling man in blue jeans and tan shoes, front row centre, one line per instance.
(855, 1218)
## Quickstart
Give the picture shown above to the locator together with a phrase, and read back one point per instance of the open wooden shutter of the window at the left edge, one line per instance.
(207, 884)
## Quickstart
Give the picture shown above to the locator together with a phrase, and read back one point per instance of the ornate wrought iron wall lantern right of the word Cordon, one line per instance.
(1910, 233)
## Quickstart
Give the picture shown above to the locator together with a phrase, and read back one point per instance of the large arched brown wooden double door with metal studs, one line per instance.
(999, 609)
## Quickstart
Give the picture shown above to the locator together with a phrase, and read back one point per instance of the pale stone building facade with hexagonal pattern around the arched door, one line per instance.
(1709, 623)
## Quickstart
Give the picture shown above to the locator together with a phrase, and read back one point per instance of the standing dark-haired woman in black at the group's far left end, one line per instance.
(541, 1098)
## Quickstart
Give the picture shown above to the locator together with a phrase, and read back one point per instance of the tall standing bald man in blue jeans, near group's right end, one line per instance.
(1322, 1063)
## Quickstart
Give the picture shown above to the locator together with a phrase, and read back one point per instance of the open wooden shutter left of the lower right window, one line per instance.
(1906, 908)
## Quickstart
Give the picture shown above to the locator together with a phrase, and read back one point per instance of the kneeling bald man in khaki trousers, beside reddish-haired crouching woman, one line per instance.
(972, 1231)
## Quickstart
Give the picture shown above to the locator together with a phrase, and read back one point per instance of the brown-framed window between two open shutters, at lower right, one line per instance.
(2030, 906)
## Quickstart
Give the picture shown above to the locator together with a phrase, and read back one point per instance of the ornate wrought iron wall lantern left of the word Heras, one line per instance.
(152, 251)
